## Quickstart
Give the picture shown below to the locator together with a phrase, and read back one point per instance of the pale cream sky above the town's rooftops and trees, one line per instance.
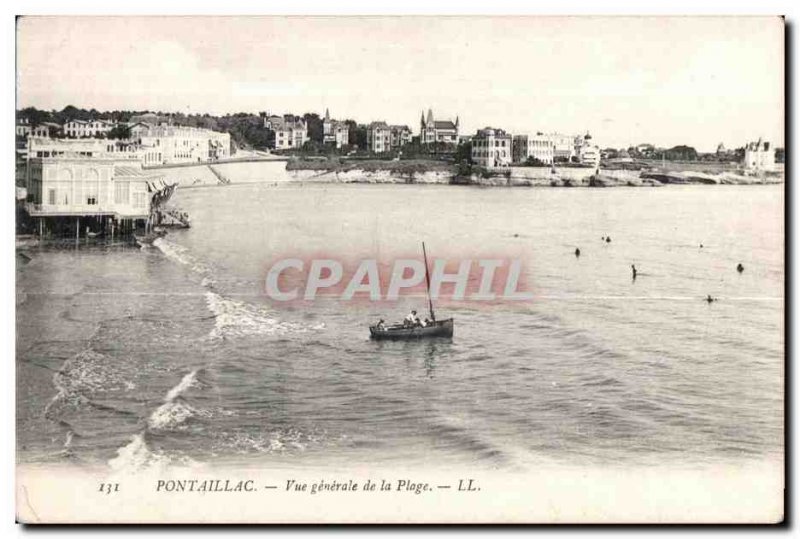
(626, 80)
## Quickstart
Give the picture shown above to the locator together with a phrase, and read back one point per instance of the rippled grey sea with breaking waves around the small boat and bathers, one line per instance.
(130, 357)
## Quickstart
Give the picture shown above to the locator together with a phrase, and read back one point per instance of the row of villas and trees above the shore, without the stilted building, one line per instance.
(164, 139)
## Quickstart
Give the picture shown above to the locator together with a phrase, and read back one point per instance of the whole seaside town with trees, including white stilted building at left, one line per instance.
(105, 167)
